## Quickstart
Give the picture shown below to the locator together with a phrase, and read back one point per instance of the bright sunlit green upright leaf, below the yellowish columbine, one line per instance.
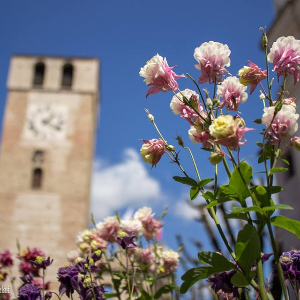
(236, 184)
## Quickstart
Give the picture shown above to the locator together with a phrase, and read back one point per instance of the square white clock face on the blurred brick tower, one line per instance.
(46, 122)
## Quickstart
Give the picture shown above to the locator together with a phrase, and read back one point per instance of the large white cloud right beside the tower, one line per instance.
(121, 185)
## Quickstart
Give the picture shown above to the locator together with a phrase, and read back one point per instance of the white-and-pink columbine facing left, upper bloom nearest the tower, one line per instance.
(159, 75)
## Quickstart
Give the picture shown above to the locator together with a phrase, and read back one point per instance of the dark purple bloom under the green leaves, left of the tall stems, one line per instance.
(221, 282)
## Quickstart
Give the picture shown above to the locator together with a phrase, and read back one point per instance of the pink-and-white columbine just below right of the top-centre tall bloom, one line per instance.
(232, 92)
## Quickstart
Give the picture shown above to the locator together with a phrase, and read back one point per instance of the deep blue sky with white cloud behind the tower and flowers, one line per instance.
(124, 35)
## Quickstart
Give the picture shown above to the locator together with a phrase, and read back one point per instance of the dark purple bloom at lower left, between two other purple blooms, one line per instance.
(67, 276)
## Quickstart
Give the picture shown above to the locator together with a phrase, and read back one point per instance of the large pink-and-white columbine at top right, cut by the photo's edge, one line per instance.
(285, 56)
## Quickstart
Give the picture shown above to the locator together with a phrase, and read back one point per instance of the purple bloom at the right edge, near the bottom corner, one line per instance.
(290, 264)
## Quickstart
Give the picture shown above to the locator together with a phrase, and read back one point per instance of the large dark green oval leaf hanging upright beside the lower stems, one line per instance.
(247, 248)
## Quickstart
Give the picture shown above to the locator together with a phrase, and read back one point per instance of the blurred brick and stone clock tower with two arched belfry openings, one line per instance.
(47, 153)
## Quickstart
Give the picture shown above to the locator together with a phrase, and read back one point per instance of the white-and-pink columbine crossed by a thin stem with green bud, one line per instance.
(180, 108)
